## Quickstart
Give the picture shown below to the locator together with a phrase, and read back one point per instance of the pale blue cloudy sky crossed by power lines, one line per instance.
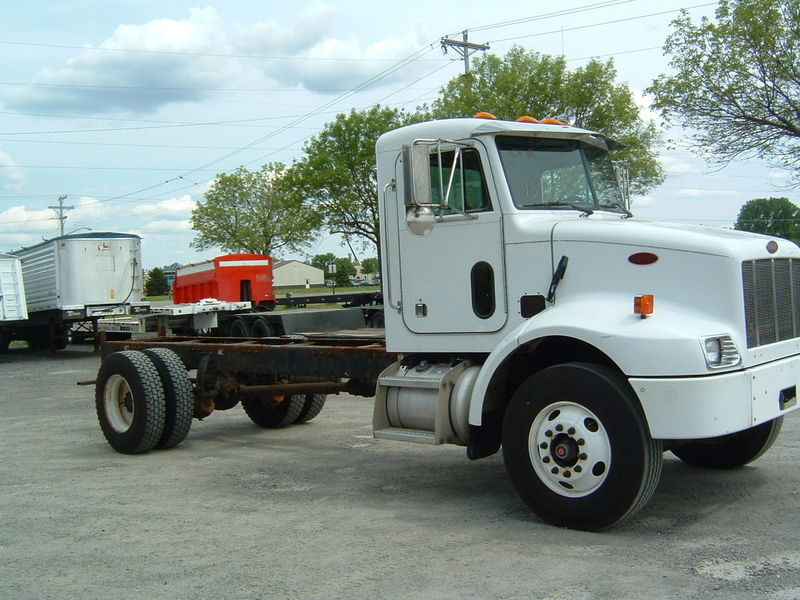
(131, 108)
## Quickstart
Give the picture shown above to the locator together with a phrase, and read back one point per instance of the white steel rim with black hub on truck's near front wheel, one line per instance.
(569, 449)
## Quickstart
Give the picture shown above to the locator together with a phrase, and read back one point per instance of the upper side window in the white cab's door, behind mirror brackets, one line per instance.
(468, 192)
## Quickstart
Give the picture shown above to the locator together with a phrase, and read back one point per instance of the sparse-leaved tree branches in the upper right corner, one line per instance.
(736, 81)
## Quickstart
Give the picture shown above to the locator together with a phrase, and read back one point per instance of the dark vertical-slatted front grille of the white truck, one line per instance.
(771, 300)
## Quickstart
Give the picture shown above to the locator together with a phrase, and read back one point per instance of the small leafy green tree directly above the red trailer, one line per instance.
(253, 211)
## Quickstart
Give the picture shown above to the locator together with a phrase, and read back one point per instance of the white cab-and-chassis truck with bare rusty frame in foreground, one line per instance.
(524, 307)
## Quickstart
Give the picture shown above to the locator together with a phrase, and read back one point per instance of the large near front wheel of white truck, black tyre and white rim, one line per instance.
(577, 447)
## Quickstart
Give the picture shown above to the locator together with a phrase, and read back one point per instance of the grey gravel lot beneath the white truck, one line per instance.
(322, 510)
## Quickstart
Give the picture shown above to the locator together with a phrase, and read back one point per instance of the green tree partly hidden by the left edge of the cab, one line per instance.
(337, 172)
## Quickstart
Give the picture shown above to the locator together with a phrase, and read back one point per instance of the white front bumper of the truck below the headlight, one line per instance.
(714, 405)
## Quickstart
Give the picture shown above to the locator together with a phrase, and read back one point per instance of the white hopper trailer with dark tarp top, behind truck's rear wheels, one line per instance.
(76, 278)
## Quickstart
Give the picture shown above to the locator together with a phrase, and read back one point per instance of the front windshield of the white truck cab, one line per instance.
(558, 173)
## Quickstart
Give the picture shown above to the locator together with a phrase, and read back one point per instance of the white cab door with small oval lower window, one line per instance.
(452, 277)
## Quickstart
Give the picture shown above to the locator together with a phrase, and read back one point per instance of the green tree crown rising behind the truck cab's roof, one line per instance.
(537, 85)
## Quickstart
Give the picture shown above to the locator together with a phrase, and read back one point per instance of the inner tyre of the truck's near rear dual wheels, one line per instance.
(178, 395)
